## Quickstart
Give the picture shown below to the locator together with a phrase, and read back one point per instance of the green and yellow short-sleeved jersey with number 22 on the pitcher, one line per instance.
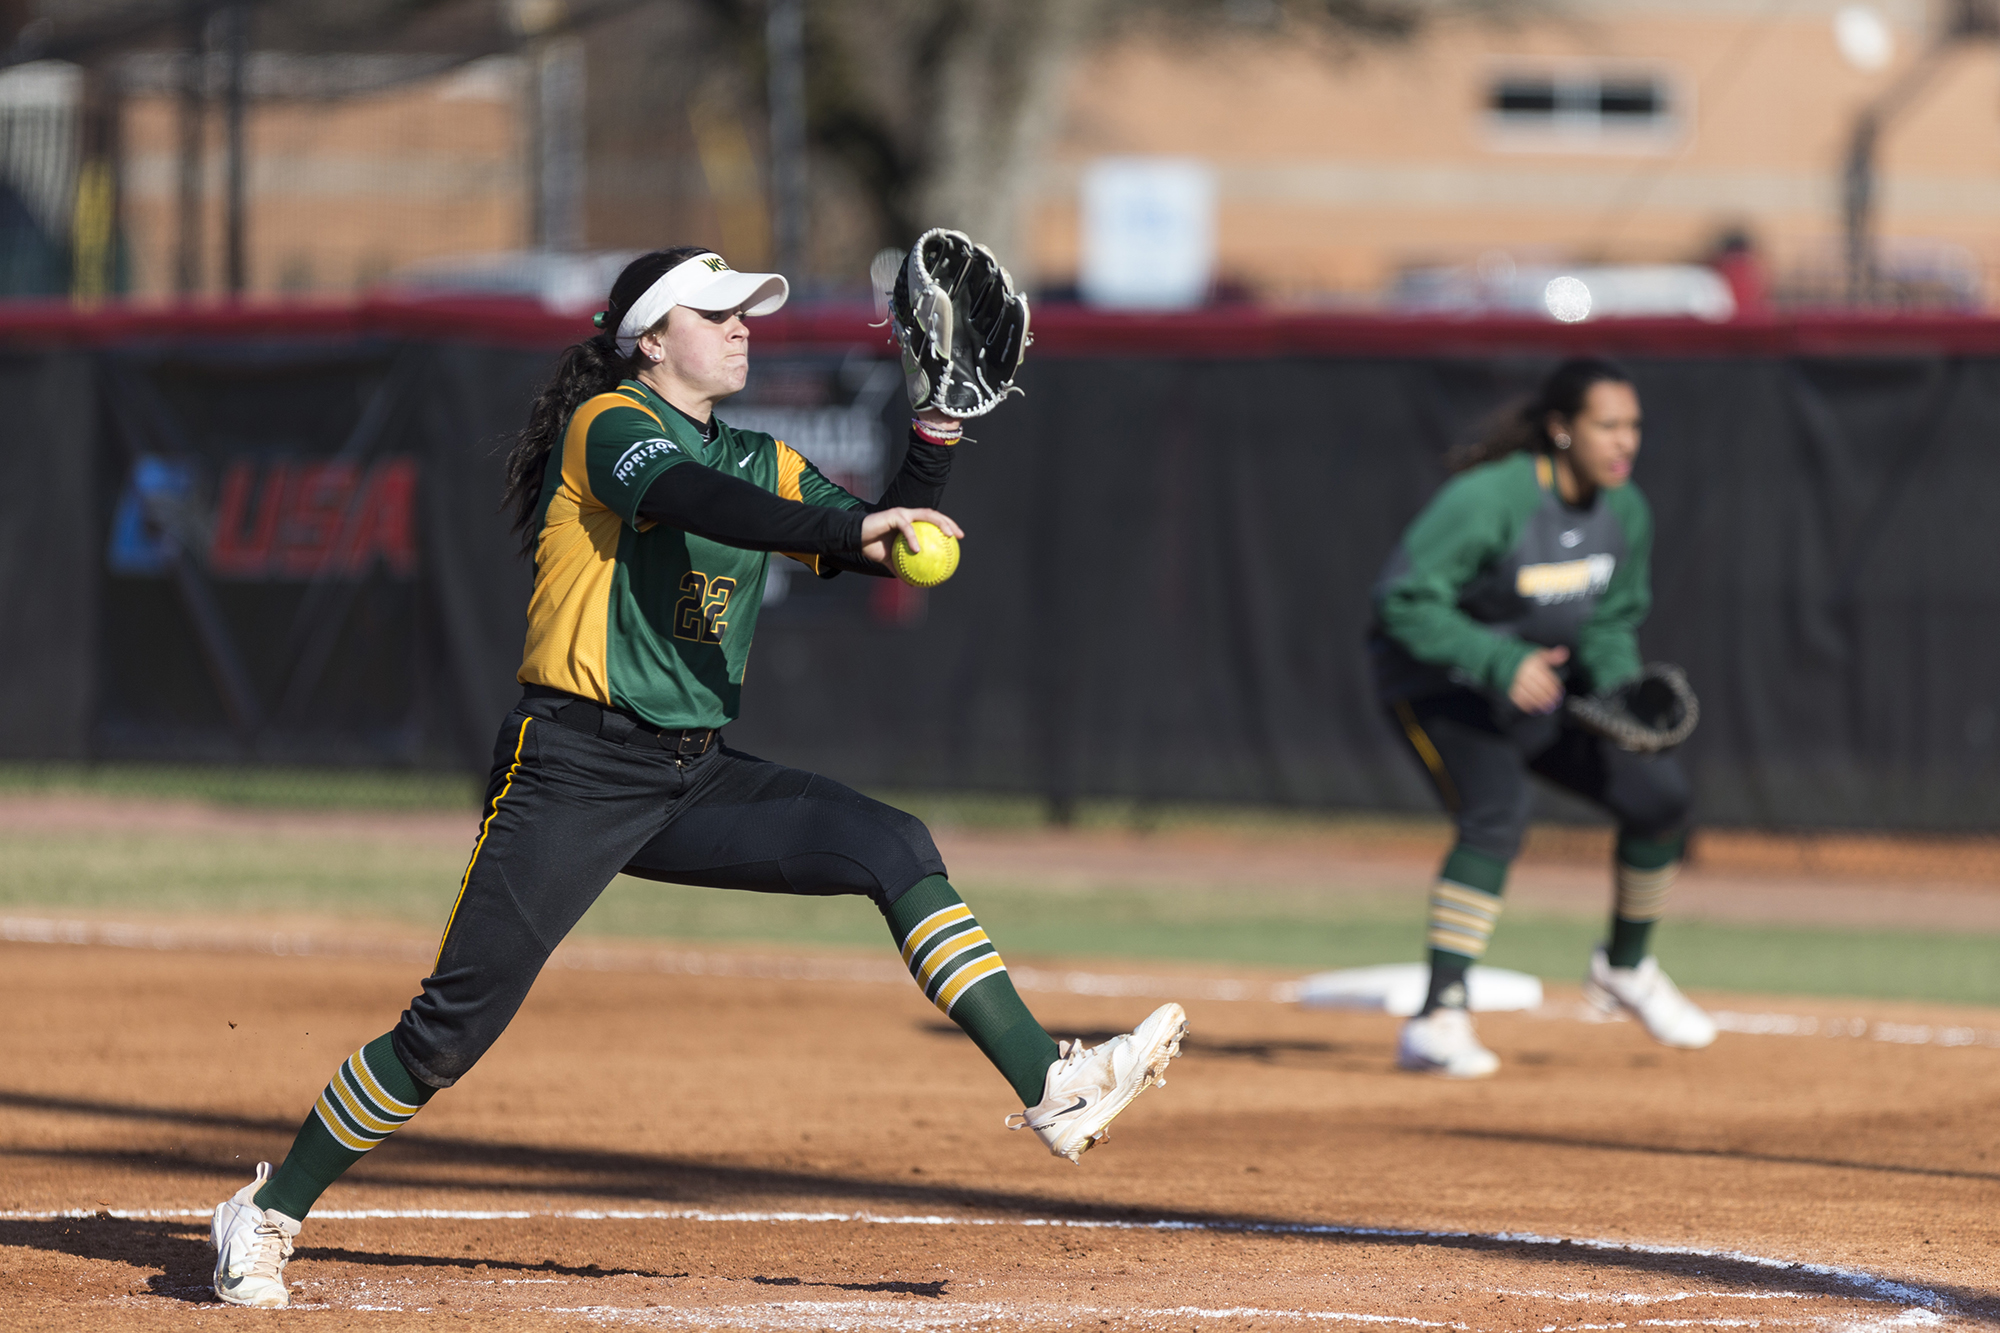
(631, 613)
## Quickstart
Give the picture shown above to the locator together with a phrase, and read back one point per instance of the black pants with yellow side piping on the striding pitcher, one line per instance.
(567, 812)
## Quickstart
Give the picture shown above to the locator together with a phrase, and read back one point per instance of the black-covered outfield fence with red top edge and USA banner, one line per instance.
(275, 537)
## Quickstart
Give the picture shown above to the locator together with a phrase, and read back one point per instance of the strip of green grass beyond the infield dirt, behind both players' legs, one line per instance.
(415, 882)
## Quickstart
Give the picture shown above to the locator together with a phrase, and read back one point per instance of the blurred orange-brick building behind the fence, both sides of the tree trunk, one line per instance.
(1597, 131)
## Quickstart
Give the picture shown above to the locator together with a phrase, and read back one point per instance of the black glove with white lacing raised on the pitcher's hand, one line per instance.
(961, 323)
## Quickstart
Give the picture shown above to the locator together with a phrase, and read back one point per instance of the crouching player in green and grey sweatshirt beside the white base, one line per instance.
(1525, 577)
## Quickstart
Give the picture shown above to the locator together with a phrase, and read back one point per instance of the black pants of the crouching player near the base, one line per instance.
(1479, 754)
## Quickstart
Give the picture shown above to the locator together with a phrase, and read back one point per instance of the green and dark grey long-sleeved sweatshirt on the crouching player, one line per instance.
(1499, 565)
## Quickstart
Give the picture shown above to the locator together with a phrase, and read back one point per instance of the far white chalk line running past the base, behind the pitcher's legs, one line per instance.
(883, 972)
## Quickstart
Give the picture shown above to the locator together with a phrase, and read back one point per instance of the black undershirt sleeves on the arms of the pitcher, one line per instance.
(727, 509)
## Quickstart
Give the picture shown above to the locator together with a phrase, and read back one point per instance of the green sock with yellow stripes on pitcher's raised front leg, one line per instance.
(961, 974)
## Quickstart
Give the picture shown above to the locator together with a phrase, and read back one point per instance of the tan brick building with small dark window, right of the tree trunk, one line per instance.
(1613, 131)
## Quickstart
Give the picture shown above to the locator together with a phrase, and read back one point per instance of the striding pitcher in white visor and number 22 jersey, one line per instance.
(651, 525)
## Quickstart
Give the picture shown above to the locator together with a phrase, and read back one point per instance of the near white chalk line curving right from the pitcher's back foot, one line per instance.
(1863, 1286)
